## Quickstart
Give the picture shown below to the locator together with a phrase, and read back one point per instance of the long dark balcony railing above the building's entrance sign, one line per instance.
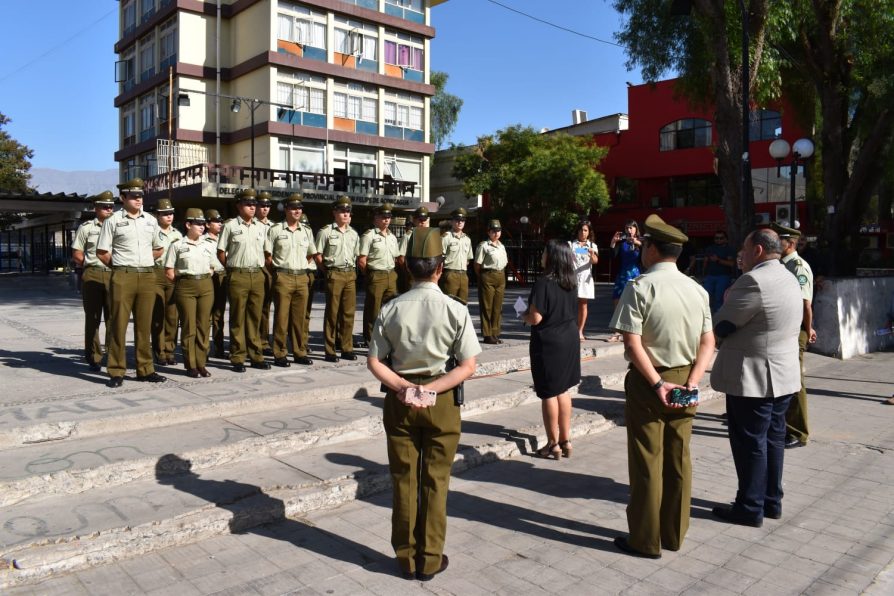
(264, 177)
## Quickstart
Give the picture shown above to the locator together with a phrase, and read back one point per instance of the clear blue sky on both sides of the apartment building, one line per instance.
(57, 73)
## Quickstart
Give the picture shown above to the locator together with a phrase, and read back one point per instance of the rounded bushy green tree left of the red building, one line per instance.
(551, 178)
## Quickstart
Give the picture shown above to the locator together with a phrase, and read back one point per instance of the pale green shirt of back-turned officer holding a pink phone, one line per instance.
(421, 330)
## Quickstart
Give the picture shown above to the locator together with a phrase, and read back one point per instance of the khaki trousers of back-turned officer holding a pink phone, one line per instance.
(421, 447)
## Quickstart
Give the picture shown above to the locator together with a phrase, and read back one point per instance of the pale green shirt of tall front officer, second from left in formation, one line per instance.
(130, 240)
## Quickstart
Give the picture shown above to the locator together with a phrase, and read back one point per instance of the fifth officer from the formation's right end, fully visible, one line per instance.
(338, 247)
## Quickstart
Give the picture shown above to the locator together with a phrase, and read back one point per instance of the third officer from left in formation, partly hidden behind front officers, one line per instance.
(164, 314)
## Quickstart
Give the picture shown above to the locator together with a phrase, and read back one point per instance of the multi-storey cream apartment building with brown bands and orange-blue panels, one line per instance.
(322, 96)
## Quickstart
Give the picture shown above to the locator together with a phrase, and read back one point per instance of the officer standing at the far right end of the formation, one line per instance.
(490, 267)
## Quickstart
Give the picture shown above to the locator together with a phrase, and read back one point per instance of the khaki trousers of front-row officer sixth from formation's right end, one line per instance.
(290, 299)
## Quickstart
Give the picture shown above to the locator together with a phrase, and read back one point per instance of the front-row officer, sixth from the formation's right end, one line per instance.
(289, 250)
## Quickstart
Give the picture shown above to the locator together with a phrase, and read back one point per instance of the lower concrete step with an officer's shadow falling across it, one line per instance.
(147, 498)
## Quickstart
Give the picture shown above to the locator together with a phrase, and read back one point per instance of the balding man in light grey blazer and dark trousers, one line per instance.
(757, 367)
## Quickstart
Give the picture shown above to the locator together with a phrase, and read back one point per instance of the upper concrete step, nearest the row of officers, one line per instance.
(137, 406)
